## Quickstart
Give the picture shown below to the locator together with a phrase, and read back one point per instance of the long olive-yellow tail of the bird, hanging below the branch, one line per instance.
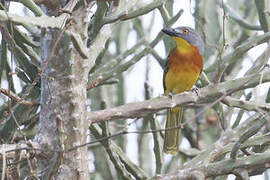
(171, 140)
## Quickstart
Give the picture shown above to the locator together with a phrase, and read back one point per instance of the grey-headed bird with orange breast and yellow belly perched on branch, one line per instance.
(181, 72)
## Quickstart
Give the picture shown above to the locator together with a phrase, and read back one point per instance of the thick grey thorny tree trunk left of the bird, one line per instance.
(63, 122)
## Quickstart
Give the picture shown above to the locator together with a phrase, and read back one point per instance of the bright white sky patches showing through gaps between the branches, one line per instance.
(135, 76)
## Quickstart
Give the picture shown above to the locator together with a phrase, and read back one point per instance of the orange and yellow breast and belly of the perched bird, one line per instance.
(184, 70)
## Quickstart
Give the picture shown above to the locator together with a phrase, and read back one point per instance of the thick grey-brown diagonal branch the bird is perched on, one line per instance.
(206, 95)
